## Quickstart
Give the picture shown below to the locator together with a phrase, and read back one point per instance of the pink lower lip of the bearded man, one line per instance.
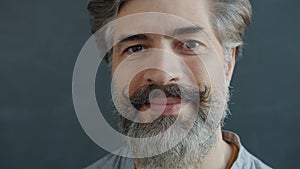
(166, 109)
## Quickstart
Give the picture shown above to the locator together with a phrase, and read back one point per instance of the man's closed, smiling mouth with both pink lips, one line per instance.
(164, 106)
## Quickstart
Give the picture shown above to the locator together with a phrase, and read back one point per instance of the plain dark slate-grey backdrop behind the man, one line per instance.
(40, 41)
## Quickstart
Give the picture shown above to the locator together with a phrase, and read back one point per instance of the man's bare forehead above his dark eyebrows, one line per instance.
(161, 16)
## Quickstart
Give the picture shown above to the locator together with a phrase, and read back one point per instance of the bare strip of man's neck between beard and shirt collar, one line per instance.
(217, 158)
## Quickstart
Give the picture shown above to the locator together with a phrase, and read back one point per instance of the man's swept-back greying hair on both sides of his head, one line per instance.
(229, 18)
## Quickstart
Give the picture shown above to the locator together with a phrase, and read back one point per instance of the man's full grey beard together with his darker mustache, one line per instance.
(198, 138)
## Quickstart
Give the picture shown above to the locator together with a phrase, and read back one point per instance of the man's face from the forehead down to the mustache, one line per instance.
(155, 50)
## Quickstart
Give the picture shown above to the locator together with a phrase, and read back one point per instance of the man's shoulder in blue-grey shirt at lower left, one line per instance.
(112, 161)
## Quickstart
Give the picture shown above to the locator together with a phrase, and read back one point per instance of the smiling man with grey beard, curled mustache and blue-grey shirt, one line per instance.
(173, 61)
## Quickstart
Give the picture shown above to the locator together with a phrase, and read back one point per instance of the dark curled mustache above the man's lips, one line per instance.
(184, 92)
